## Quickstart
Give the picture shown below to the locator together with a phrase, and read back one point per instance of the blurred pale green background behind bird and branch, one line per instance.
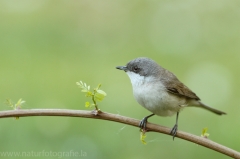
(47, 46)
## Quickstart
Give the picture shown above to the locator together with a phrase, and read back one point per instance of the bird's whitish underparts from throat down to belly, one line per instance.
(152, 94)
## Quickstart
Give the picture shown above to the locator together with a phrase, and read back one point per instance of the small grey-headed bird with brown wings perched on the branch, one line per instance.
(159, 91)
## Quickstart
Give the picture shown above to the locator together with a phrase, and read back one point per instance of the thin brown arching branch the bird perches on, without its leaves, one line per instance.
(121, 119)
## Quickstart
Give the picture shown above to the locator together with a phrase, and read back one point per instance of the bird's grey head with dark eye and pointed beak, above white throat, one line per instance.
(142, 66)
